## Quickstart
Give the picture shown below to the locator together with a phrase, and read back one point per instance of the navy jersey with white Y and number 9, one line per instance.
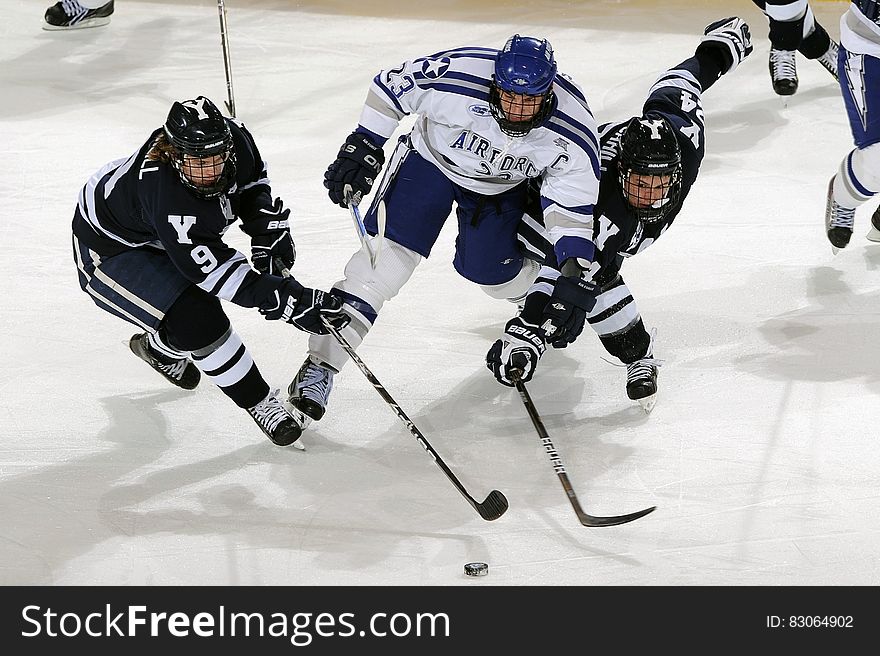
(141, 203)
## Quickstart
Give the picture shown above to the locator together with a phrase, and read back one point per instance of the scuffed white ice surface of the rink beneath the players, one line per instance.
(761, 456)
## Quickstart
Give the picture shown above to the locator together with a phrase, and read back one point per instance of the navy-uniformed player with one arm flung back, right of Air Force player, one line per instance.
(649, 163)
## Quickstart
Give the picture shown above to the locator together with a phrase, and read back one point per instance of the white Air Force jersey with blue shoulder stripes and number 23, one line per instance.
(455, 130)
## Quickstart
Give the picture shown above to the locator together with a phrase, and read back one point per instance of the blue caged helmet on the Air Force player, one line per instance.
(525, 66)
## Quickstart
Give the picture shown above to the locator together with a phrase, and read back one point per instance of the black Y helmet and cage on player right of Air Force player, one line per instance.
(649, 148)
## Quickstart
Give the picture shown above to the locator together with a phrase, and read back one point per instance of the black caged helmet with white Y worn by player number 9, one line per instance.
(198, 129)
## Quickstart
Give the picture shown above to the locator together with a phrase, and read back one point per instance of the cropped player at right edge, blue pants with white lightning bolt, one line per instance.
(858, 177)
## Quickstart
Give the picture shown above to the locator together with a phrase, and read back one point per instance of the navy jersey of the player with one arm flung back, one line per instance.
(618, 233)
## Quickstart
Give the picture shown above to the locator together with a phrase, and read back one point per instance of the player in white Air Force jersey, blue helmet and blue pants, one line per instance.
(487, 122)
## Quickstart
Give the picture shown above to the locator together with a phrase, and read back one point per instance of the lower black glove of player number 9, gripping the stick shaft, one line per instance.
(304, 307)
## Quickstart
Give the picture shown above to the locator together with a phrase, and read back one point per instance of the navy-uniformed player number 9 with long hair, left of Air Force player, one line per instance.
(148, 243)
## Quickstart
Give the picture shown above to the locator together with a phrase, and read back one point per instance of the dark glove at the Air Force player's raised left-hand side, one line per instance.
(355, 169)
